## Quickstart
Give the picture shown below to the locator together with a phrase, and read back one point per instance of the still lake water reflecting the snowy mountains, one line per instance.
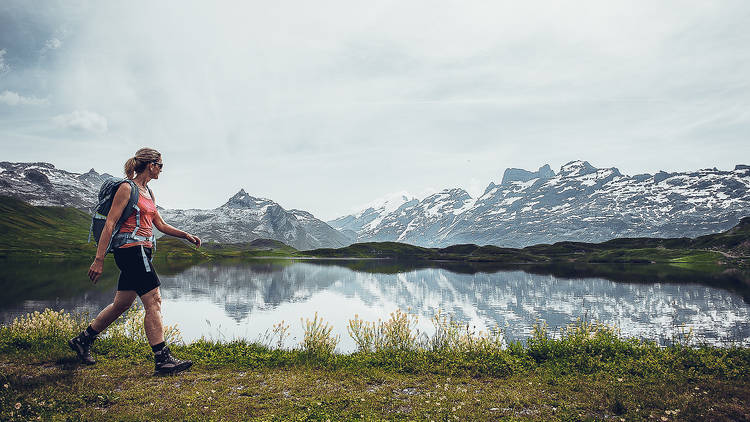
(225, 301)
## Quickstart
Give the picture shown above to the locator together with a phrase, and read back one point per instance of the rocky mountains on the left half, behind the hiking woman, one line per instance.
(242, 218)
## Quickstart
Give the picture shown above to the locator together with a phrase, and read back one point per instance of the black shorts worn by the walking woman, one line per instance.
(136, 271)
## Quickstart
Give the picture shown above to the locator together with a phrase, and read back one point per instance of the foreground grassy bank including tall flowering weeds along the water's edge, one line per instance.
(585, 372)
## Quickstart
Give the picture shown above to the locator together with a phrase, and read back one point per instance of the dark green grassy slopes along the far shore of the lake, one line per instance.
(62, 232)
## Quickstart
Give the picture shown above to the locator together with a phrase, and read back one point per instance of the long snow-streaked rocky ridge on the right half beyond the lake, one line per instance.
(579, 203)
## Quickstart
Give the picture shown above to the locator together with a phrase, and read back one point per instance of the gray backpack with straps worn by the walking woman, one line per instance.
(99, 214)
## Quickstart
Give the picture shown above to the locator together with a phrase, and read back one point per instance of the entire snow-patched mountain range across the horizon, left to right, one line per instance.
(580, 203)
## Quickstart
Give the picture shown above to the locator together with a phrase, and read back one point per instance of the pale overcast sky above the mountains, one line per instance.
(327, 105)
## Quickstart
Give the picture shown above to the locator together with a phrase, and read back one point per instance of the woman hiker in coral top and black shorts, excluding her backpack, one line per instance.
(132, 250)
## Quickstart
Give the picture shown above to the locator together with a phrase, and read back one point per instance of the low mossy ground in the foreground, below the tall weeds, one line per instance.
(124, 389)
